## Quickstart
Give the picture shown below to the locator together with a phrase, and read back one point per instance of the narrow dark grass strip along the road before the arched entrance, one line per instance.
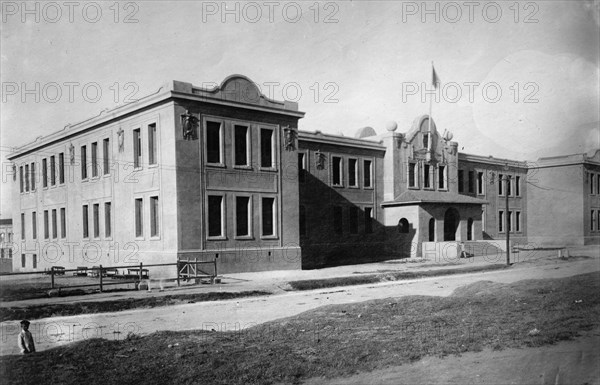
(312, 284)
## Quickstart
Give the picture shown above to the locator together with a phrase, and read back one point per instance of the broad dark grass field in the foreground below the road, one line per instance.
(331, 341)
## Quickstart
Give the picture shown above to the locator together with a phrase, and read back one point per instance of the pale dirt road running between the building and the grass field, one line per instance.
(239, 315)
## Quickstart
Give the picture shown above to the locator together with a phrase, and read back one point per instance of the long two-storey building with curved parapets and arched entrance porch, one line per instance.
(225, 173)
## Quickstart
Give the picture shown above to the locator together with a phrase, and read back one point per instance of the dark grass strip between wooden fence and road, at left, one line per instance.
(57, 310)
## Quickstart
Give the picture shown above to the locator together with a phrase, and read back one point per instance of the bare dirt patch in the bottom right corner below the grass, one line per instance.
(569, 362)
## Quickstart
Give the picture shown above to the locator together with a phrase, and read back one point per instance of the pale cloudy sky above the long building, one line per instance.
(518, 80)
